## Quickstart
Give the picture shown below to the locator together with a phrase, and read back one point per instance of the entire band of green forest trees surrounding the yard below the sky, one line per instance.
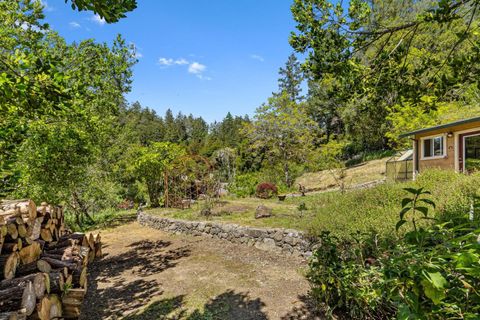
(370, 70)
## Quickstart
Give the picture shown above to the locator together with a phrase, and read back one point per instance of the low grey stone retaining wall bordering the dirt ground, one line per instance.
(278, 240)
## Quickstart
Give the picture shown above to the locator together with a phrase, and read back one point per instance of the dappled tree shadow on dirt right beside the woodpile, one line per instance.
(142, 259)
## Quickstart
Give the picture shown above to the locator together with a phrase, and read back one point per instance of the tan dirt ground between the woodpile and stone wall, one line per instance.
(149, 274)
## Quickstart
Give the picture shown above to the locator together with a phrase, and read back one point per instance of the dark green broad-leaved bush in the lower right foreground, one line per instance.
(431, 271)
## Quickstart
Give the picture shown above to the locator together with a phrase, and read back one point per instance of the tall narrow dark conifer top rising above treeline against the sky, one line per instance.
(291, 78)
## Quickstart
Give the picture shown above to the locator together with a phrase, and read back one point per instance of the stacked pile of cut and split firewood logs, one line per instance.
(43, 265)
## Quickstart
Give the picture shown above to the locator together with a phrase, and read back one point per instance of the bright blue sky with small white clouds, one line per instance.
(204, 57)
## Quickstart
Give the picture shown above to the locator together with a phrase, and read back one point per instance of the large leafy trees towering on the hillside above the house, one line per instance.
(373, 57)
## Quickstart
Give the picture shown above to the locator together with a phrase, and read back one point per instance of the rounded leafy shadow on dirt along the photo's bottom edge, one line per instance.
(229, 305)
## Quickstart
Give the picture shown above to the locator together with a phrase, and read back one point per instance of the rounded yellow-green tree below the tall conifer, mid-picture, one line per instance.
(283, 129)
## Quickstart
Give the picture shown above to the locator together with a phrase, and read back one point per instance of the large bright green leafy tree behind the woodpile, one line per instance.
(57, 109)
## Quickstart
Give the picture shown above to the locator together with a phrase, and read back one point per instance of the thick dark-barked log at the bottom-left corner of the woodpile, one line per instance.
(21, 296)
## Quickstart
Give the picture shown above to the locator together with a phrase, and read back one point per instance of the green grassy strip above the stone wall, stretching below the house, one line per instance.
(342, 214)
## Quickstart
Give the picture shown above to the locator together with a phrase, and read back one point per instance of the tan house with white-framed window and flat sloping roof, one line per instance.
(454, 145)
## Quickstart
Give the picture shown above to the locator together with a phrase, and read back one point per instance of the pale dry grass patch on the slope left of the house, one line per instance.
(362, 173)
